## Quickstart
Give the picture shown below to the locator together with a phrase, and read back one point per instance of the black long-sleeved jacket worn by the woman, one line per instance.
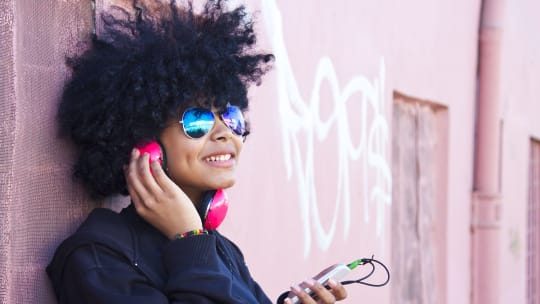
(119, 258)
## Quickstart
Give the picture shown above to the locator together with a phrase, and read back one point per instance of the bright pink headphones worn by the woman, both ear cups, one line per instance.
(214, 206)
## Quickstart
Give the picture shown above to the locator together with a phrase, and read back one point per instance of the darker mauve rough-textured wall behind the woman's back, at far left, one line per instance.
(38, 207)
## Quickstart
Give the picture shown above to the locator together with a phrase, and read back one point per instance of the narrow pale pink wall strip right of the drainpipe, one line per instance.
(519, 115)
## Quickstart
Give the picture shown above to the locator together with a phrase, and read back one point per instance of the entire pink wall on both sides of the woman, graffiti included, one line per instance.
(313, 190)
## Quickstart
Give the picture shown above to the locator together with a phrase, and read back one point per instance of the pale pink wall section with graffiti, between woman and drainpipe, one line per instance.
(346, 59)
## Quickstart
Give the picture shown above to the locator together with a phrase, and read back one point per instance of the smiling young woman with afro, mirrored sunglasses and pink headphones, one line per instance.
(166, 77)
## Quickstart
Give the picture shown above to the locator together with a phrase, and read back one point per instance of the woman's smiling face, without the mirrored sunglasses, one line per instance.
(197, 165)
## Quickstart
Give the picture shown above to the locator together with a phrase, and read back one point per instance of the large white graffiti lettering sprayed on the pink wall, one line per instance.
(301, 122)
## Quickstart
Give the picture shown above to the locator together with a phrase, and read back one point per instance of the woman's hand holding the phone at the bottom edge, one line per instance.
(324, 296)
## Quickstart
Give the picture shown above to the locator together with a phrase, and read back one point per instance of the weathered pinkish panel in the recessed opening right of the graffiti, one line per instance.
(414, 210)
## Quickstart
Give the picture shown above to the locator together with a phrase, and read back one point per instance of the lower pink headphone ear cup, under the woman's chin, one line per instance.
(213, 209)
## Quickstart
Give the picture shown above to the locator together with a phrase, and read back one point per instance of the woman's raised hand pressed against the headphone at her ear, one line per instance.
(157, 199)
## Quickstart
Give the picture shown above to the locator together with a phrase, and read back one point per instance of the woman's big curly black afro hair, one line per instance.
(148, 64)
